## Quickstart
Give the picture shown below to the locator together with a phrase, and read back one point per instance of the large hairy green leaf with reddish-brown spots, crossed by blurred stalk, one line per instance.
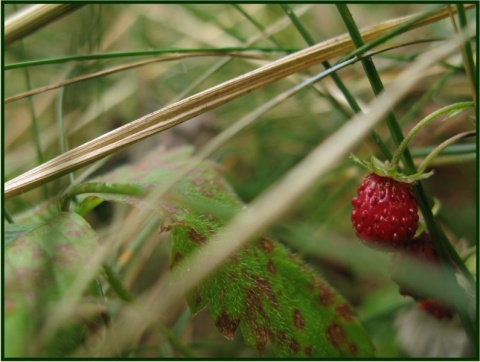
(263, 290)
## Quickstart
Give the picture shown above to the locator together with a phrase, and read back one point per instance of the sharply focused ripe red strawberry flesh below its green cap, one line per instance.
(385, 211)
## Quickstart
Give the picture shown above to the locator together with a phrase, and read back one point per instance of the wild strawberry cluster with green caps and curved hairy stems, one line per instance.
(385, 214)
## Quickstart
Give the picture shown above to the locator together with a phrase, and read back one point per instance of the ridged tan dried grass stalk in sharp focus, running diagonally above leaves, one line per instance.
(197, 104)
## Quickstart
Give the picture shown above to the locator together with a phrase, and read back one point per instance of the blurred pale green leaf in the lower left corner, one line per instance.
(41, 262)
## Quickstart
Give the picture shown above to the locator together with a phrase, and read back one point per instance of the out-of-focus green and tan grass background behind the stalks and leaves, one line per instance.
(255, 158)
